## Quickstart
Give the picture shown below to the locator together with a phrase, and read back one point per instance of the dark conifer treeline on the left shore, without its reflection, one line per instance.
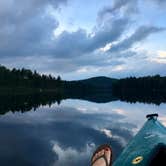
(27, 78)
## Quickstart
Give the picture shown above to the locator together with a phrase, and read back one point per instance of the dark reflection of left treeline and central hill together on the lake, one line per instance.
(25, 103)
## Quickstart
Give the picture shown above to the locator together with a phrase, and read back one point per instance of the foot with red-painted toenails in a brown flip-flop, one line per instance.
(102, 156)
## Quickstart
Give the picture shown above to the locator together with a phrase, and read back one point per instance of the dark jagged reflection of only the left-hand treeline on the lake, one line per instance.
(25, 103)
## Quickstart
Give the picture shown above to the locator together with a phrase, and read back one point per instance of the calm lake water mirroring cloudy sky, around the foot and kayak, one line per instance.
(67, 134)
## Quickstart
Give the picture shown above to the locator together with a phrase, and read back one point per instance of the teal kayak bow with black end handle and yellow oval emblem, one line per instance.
(148, 147)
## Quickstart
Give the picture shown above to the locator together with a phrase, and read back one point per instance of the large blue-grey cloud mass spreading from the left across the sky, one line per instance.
(26, 35)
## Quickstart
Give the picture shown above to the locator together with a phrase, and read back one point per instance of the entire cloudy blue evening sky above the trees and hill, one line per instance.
(78, 39)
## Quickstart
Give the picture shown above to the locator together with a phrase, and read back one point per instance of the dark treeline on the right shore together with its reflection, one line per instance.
(149, 89)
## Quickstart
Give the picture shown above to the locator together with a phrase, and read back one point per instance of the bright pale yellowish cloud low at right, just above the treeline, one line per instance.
(135, 65)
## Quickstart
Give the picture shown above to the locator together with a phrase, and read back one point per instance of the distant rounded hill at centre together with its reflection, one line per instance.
(96, 89)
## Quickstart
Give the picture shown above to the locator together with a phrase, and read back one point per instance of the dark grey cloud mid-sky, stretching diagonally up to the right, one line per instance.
(78, 43)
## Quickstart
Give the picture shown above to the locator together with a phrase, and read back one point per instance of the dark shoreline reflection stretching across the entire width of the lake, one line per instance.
(24, 103)
